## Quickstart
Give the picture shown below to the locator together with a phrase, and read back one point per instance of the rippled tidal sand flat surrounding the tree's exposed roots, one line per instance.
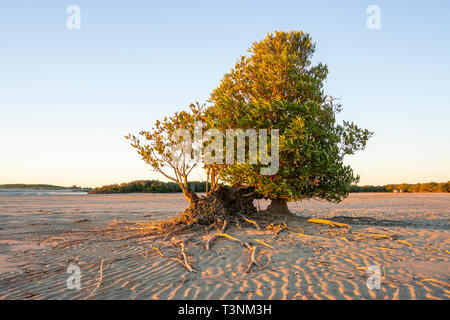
(406, 236)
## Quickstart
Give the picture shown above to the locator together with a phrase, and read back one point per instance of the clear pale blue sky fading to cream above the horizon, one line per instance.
(67, 97)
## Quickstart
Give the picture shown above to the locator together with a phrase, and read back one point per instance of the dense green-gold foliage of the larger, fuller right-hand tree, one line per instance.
(278, 87)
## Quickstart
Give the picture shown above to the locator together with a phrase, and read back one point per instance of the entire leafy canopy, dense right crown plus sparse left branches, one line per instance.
(275, 88)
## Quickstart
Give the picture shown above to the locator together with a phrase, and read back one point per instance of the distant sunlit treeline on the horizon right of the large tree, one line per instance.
(405, 187)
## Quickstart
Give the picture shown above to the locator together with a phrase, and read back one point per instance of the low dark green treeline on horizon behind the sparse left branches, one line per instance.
(149, 186)
